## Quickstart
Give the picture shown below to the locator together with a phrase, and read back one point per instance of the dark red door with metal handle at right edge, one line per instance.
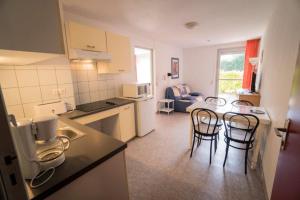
(287, 178)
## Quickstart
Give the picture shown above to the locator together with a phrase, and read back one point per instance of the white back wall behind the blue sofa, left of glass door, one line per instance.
(200, 67)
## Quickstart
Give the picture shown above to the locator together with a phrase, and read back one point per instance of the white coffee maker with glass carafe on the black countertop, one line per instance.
(38, 147)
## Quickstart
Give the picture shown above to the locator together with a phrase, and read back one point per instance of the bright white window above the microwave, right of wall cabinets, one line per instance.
(143, 61)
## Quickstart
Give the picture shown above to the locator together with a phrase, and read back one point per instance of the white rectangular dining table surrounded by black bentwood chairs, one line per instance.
(260, 112)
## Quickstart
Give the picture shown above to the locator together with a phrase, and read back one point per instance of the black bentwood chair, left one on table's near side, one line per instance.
(204, 131)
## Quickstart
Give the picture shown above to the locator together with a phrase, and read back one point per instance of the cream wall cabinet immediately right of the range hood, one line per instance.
(119, 48)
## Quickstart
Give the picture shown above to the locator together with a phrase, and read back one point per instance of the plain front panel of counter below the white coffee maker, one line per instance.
(105, 181)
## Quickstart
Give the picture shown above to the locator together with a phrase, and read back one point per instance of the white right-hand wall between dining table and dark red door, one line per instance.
(280, 45)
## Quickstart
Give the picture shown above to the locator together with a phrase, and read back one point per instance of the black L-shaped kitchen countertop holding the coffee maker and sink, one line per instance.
(84, 153)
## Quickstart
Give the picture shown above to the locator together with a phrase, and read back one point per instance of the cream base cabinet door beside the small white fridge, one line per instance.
(127, 122)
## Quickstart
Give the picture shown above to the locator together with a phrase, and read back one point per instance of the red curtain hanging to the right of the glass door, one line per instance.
(251, 51)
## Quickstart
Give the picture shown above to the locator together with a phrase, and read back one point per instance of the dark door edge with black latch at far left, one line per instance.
(11, 181)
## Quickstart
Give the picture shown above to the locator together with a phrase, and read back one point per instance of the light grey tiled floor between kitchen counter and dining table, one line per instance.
(159, 167)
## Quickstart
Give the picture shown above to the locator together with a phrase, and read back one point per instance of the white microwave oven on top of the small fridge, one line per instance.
(136, 90)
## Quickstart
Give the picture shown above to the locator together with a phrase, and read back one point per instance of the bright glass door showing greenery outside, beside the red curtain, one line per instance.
(230, 72)
